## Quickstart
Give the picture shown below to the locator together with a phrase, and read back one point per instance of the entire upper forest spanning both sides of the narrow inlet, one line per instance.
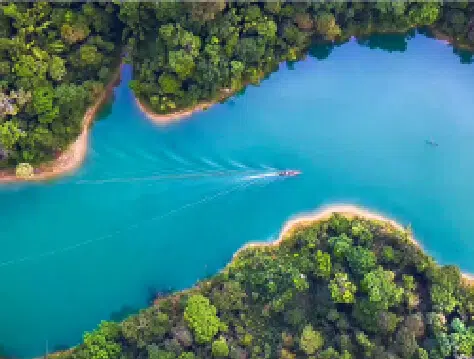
(56, 58)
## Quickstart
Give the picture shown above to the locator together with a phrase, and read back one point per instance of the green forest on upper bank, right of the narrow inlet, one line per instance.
(184, 53)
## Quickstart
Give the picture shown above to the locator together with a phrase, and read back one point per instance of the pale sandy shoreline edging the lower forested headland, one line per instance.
(324, 213)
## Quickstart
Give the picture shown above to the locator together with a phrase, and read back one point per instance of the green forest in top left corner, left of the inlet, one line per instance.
(54, 60)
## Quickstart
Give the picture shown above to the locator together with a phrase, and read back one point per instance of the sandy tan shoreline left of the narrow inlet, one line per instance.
(72, 158)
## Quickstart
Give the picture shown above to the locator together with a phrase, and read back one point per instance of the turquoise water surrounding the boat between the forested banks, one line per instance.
(355, 124)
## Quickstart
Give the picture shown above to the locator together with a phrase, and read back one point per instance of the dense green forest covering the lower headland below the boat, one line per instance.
(306, 299)
